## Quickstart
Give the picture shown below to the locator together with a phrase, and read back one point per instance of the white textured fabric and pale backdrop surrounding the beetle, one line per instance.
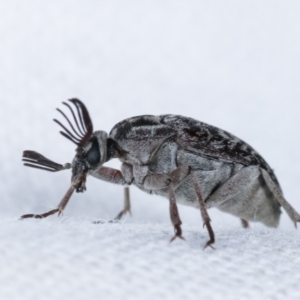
(233, 64)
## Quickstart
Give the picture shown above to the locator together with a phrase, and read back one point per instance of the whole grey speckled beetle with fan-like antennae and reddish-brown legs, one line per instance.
(182, 159)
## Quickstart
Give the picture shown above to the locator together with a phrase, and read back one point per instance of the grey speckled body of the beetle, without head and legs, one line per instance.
(161, 144)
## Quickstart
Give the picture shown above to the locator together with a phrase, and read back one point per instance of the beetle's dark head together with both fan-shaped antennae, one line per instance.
(91, 150)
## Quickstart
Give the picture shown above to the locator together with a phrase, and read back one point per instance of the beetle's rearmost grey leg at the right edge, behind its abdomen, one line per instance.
(295, 217)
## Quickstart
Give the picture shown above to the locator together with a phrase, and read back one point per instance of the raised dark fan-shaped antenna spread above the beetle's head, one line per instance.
(84, 130)
